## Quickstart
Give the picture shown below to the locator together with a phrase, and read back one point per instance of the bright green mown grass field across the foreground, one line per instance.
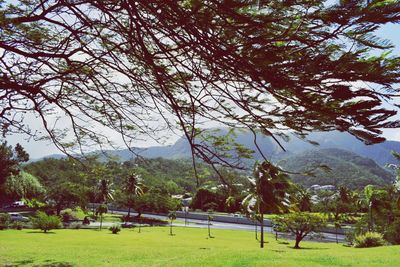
(189, 247)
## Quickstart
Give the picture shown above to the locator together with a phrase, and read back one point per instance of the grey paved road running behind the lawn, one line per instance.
(326, 237)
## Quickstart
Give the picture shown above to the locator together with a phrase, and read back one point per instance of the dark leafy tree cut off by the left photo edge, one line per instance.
(10, 159)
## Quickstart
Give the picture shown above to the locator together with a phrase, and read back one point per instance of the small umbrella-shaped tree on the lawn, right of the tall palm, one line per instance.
(300, 224)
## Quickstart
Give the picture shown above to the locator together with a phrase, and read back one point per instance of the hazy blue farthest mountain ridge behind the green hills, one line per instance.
(380, 153)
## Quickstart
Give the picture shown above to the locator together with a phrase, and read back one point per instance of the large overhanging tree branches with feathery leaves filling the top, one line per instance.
(272, 67)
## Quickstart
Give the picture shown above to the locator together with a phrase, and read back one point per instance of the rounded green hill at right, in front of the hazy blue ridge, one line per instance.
(348, 169)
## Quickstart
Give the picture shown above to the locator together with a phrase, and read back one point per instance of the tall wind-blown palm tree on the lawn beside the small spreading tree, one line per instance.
(268, 192)
